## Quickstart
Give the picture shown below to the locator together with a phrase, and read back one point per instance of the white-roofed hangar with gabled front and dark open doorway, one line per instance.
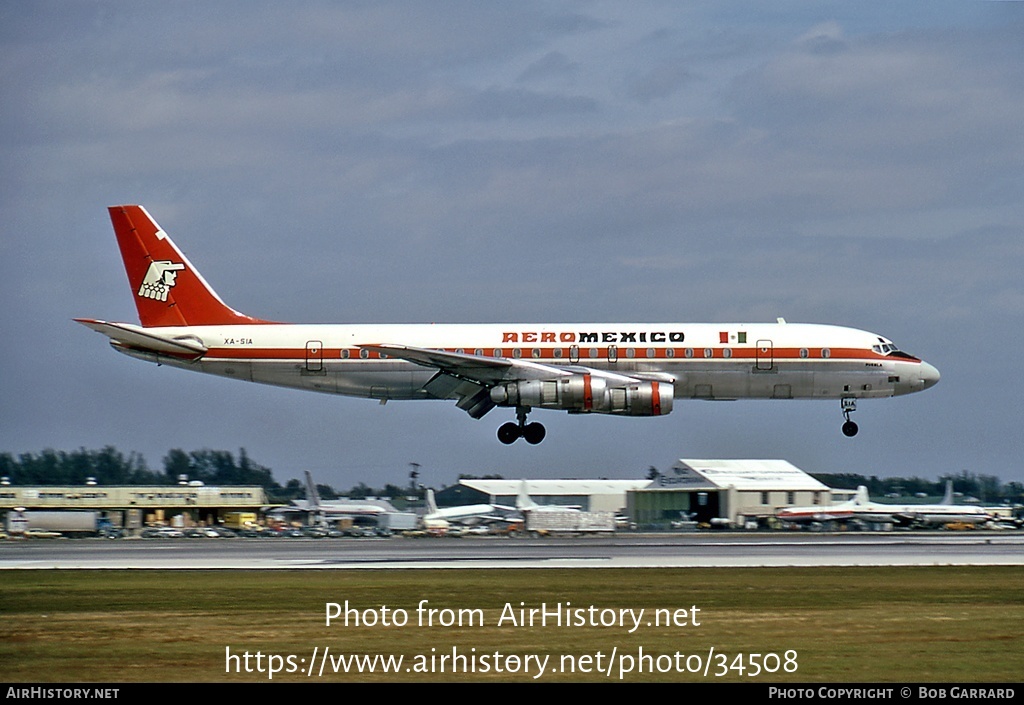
(724, 492)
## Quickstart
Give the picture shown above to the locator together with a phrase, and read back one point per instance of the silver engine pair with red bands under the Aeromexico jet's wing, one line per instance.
(583, 394)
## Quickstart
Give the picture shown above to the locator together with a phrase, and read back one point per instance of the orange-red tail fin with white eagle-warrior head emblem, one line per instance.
(168, 291)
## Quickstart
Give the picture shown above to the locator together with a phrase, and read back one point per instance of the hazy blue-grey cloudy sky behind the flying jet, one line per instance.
(861, 164)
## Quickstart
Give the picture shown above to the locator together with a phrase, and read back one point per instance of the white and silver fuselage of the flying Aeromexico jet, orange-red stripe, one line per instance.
(703, 361)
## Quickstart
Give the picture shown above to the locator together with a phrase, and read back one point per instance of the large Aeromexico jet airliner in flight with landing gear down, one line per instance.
(623, 369)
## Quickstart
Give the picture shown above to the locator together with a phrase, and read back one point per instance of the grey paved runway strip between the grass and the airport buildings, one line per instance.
(623, 551)
